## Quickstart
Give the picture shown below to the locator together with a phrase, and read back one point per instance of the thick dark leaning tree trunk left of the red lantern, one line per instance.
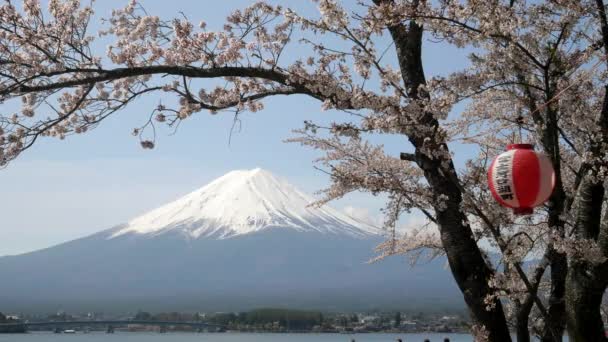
(466, 262)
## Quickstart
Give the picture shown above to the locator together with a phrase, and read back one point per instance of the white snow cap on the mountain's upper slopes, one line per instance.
(242, 202)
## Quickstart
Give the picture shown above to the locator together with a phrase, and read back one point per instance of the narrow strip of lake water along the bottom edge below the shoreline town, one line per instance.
(226, 337)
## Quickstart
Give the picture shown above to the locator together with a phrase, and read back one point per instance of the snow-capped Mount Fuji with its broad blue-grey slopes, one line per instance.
(247, 239)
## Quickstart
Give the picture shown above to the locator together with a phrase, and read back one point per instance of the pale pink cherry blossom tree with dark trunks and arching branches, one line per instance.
(538, 73)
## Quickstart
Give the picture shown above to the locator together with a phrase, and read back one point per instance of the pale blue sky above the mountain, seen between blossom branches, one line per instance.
(61, 190)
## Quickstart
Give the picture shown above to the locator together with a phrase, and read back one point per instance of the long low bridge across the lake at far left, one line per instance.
(110, 324)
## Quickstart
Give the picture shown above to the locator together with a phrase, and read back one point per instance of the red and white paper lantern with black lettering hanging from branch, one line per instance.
(521, 178)
